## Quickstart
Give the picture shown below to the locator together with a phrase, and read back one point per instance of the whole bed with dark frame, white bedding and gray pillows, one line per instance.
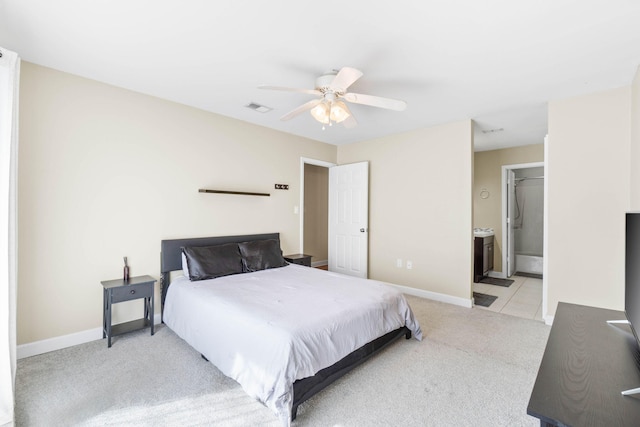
(282, 331)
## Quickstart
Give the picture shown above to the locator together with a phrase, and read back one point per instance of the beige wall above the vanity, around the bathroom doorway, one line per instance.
(487, 174)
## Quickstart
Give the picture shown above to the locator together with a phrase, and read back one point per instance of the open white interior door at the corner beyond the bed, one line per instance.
(349, 219)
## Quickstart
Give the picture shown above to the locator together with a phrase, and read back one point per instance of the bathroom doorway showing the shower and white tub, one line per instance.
(523, 219)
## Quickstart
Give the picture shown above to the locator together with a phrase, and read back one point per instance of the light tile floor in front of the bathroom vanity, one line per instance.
(522, 299)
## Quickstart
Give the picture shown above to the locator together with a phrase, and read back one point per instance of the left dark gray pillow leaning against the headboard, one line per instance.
(209, 262)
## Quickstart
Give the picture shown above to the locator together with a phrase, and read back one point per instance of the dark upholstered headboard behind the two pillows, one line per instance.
(171, 252)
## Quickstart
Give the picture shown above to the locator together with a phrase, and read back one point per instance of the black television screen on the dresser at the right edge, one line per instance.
(632, 272)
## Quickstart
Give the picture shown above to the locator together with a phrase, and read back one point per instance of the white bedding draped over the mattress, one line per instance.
(269, 328)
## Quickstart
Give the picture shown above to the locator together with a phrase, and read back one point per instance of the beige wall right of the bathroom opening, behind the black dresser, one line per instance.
(588, 173)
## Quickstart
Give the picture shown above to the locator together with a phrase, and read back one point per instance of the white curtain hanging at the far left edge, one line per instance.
(9, 82)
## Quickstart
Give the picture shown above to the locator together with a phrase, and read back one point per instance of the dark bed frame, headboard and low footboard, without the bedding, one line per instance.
(171, 260)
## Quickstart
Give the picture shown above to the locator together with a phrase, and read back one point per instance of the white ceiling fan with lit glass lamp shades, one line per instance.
(331, 88)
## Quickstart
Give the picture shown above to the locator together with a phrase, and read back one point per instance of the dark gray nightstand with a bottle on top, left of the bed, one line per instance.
(119, 290)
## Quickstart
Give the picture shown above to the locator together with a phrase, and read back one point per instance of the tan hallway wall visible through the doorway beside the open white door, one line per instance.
(316, 212)
